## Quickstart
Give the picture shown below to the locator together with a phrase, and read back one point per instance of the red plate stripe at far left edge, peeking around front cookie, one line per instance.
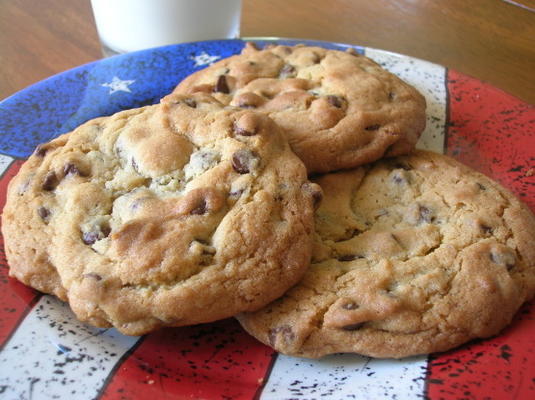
(15, 298)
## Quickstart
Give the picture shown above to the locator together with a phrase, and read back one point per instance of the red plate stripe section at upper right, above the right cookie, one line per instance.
(492, 132)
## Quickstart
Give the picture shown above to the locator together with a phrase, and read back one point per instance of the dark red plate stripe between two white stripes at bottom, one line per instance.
(209, 361)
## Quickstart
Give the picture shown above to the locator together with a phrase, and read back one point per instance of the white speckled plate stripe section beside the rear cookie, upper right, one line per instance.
(430, 80)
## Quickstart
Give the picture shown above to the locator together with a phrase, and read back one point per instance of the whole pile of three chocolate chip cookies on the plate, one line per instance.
(280, 186)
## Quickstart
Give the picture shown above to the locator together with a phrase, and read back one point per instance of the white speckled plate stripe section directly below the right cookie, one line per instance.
(346, 376)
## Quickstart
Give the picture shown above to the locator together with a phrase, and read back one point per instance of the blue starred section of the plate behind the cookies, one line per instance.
(61, 103)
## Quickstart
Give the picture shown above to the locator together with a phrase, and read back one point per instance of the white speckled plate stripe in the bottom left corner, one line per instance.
(54, 356)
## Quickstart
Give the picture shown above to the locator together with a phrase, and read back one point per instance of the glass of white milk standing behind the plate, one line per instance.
(129, 25)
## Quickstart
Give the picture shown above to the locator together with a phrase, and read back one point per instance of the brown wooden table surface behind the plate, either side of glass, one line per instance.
(492, 40)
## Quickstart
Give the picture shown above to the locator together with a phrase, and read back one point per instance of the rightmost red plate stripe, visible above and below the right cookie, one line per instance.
(495, 134)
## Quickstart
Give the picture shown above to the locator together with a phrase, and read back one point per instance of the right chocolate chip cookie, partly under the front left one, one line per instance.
(413, 255)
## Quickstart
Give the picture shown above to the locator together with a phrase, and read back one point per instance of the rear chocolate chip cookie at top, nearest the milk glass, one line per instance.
(338, 109)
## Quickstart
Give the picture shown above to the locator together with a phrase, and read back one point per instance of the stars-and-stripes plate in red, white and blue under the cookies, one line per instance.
(47, 353)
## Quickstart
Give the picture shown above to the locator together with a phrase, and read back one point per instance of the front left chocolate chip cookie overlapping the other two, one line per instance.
(168, 215)
